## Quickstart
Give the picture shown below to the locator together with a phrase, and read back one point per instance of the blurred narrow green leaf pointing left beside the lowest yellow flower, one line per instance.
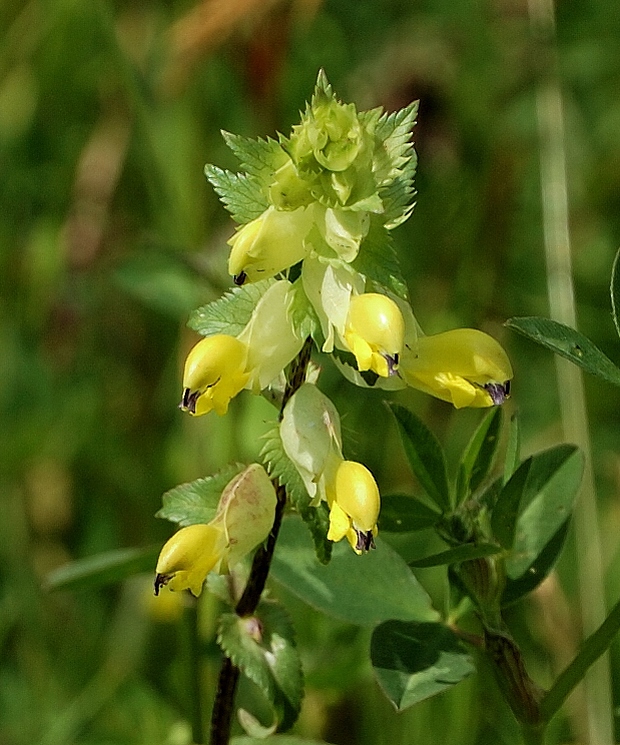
(103, 569)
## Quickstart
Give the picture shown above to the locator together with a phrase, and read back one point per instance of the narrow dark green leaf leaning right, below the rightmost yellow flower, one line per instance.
(479, 455)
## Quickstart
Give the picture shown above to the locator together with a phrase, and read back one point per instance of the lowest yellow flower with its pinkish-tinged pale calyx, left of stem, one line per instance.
(243, 519)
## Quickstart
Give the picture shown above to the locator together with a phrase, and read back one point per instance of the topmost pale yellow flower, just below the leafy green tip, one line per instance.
(269, 244)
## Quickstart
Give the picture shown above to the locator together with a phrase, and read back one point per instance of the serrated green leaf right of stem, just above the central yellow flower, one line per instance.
(378, 261)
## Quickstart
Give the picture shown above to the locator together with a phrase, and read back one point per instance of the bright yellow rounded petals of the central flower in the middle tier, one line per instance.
(374, 332)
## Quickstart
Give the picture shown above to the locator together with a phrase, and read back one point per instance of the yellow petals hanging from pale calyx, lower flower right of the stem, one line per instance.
(354, 503)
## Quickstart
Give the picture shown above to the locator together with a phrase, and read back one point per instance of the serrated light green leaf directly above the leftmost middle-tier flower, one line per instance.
(231, 313)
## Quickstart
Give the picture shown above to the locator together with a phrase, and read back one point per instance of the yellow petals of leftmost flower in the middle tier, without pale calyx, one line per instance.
(214, 373)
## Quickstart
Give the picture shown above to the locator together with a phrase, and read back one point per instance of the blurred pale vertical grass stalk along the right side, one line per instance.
(598, 724)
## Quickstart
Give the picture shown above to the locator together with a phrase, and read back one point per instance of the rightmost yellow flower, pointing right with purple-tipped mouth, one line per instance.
(464, 366)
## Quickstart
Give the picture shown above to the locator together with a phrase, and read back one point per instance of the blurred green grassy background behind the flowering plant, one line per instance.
(110, 235)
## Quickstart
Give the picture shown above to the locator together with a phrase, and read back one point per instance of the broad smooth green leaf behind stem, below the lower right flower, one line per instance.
(363, 590)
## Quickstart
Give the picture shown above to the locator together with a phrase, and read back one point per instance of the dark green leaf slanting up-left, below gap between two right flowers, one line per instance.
(426, 458)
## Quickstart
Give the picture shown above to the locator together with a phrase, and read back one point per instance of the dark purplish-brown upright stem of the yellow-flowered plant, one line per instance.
(221, 718)
